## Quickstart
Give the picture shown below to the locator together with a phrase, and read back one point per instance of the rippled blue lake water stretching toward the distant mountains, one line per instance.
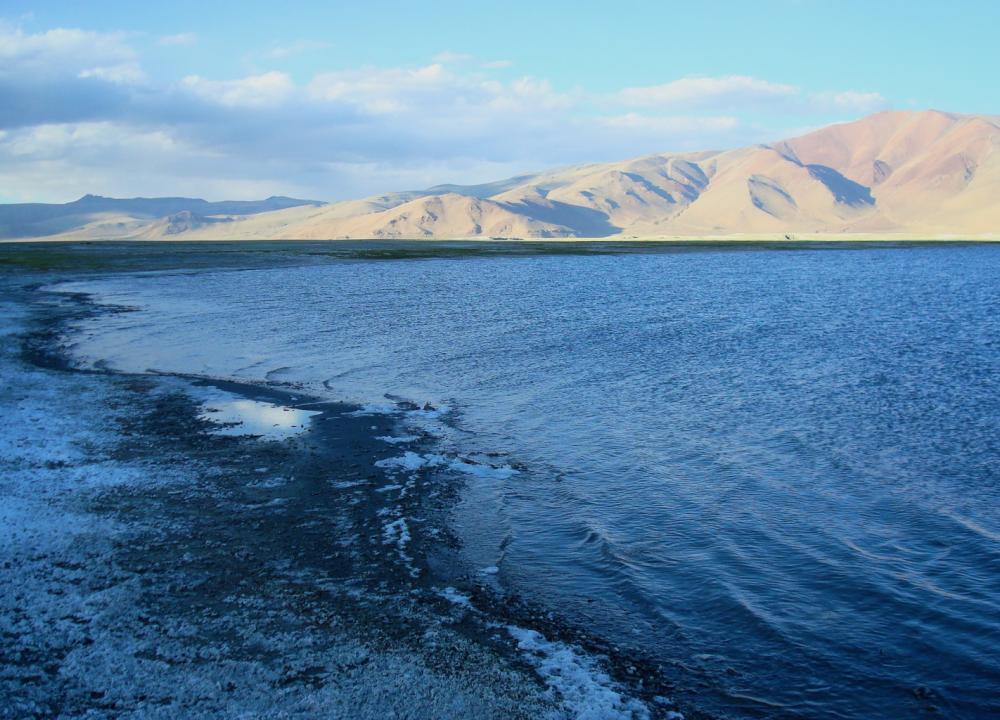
(778, 472)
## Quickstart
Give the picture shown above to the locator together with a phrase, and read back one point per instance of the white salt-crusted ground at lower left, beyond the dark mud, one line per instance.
(66, 597)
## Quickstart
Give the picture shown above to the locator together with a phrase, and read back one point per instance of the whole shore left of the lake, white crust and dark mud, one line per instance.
(155, 568)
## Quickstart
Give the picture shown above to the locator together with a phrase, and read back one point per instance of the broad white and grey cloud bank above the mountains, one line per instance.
(78, 114)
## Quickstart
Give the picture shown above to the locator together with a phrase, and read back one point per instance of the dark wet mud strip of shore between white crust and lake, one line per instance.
(321, 545)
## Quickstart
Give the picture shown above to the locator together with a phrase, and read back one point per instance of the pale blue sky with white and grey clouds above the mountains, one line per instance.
(335, 100)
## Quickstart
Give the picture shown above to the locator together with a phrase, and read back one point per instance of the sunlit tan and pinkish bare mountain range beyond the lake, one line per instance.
(895, 173)
